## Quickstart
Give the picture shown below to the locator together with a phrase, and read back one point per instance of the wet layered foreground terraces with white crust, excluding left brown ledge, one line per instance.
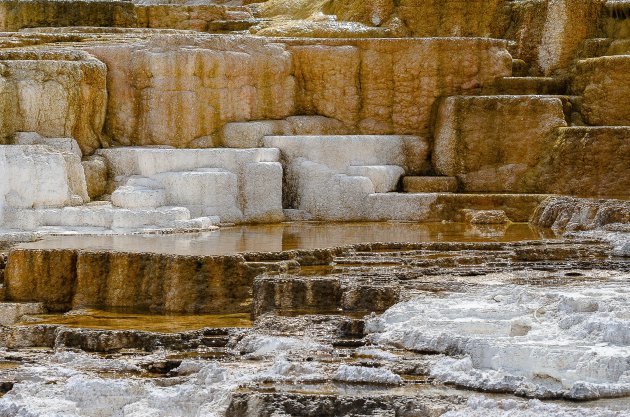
(318, 344)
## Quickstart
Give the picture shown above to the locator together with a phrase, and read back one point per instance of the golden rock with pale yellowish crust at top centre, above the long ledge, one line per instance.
(418, 18)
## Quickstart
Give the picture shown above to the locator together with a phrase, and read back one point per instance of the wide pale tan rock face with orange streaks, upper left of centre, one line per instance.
(174, 90)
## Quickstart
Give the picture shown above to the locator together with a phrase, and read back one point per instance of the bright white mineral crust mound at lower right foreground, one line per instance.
(541, 342)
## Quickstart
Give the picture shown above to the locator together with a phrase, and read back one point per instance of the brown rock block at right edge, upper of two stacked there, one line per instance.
(604, 84)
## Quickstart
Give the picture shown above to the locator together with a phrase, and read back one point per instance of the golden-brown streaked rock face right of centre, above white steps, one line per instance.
(384, 86)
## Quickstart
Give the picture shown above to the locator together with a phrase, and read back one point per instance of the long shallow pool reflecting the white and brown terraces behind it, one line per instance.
(287, 236)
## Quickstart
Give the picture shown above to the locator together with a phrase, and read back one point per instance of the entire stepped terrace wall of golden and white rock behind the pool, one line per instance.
(481, 85)
